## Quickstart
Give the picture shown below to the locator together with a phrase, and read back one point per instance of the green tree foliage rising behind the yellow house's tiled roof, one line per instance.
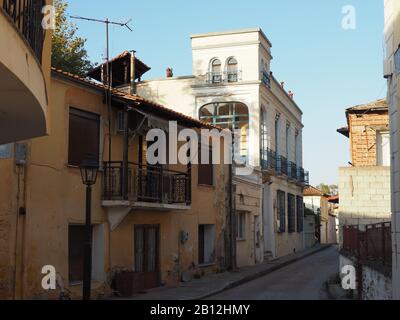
(68, 49)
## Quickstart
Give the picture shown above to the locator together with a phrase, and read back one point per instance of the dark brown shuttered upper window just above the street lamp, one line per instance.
(84, 136)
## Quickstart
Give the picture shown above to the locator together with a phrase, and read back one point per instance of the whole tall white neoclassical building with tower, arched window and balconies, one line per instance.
(232, 86)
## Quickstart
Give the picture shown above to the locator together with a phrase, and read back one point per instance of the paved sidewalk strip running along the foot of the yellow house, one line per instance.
(213, 284)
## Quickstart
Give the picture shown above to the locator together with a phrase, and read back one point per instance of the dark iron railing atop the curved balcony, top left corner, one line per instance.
(27, 17)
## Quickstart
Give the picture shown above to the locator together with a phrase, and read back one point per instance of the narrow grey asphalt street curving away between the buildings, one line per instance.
(303, 280)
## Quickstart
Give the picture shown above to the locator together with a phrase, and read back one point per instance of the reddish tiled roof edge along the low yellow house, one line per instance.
(148, 105)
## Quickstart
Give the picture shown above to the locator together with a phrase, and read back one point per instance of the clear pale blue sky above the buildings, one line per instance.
(328, 68)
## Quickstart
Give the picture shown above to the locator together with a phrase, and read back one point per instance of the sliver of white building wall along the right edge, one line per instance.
(392, 73)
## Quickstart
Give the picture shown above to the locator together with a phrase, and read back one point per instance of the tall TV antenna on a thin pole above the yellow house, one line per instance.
(108, 83)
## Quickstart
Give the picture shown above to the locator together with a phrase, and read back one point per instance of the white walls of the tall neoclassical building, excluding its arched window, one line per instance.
(264, 97)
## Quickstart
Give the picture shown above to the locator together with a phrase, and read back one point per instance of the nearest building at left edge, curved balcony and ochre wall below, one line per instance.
(25, 59)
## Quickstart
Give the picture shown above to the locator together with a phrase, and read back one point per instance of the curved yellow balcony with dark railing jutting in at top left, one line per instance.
(25, 58)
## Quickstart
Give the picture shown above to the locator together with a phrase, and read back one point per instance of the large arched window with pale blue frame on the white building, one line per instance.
(233, 116)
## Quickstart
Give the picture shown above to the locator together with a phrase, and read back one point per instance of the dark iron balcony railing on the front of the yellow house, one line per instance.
(145, 183)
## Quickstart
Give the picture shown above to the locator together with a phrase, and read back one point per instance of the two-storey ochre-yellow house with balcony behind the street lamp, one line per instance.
(159, 225)
